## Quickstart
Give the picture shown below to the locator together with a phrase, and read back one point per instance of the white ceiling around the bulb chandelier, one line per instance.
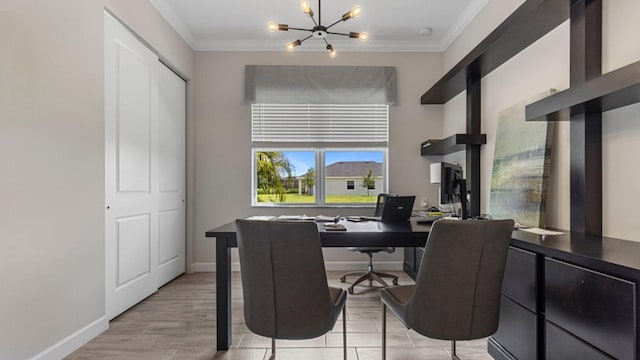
(393, 25)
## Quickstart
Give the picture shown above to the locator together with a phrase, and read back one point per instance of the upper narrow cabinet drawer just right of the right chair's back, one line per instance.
(520, 278)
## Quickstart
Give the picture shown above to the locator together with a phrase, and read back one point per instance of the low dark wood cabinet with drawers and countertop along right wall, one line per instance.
(570, 296)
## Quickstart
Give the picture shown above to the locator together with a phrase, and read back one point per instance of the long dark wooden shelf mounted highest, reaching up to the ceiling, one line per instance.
(527, 24)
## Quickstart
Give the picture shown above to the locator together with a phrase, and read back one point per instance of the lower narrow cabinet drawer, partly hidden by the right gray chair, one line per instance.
(518, 330)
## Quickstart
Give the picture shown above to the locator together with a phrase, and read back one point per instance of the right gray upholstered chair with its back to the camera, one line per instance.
(457, 291)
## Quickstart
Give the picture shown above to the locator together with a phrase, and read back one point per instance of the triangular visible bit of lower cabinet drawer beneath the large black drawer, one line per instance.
(563, 346)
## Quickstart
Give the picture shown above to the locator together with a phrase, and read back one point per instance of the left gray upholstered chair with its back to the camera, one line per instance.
(284, 283)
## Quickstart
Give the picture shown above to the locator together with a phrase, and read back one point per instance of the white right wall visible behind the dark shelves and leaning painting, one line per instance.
(544, 65)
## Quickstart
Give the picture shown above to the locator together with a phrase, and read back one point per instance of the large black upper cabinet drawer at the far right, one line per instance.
(595, 307)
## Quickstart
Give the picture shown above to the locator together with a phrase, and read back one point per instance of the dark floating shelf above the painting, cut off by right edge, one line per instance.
(610, 91)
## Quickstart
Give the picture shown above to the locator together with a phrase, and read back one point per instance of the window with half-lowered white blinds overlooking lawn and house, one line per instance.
(309, 155)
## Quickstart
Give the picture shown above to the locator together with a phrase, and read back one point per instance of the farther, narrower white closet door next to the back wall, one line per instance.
(171, 192)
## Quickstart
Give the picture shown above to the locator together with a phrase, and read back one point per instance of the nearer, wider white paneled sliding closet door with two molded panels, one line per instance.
(131, 169)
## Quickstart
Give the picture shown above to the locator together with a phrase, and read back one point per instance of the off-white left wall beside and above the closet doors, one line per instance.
(52, 180)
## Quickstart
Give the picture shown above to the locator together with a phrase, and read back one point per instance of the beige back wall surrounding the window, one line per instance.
(223, 140)
